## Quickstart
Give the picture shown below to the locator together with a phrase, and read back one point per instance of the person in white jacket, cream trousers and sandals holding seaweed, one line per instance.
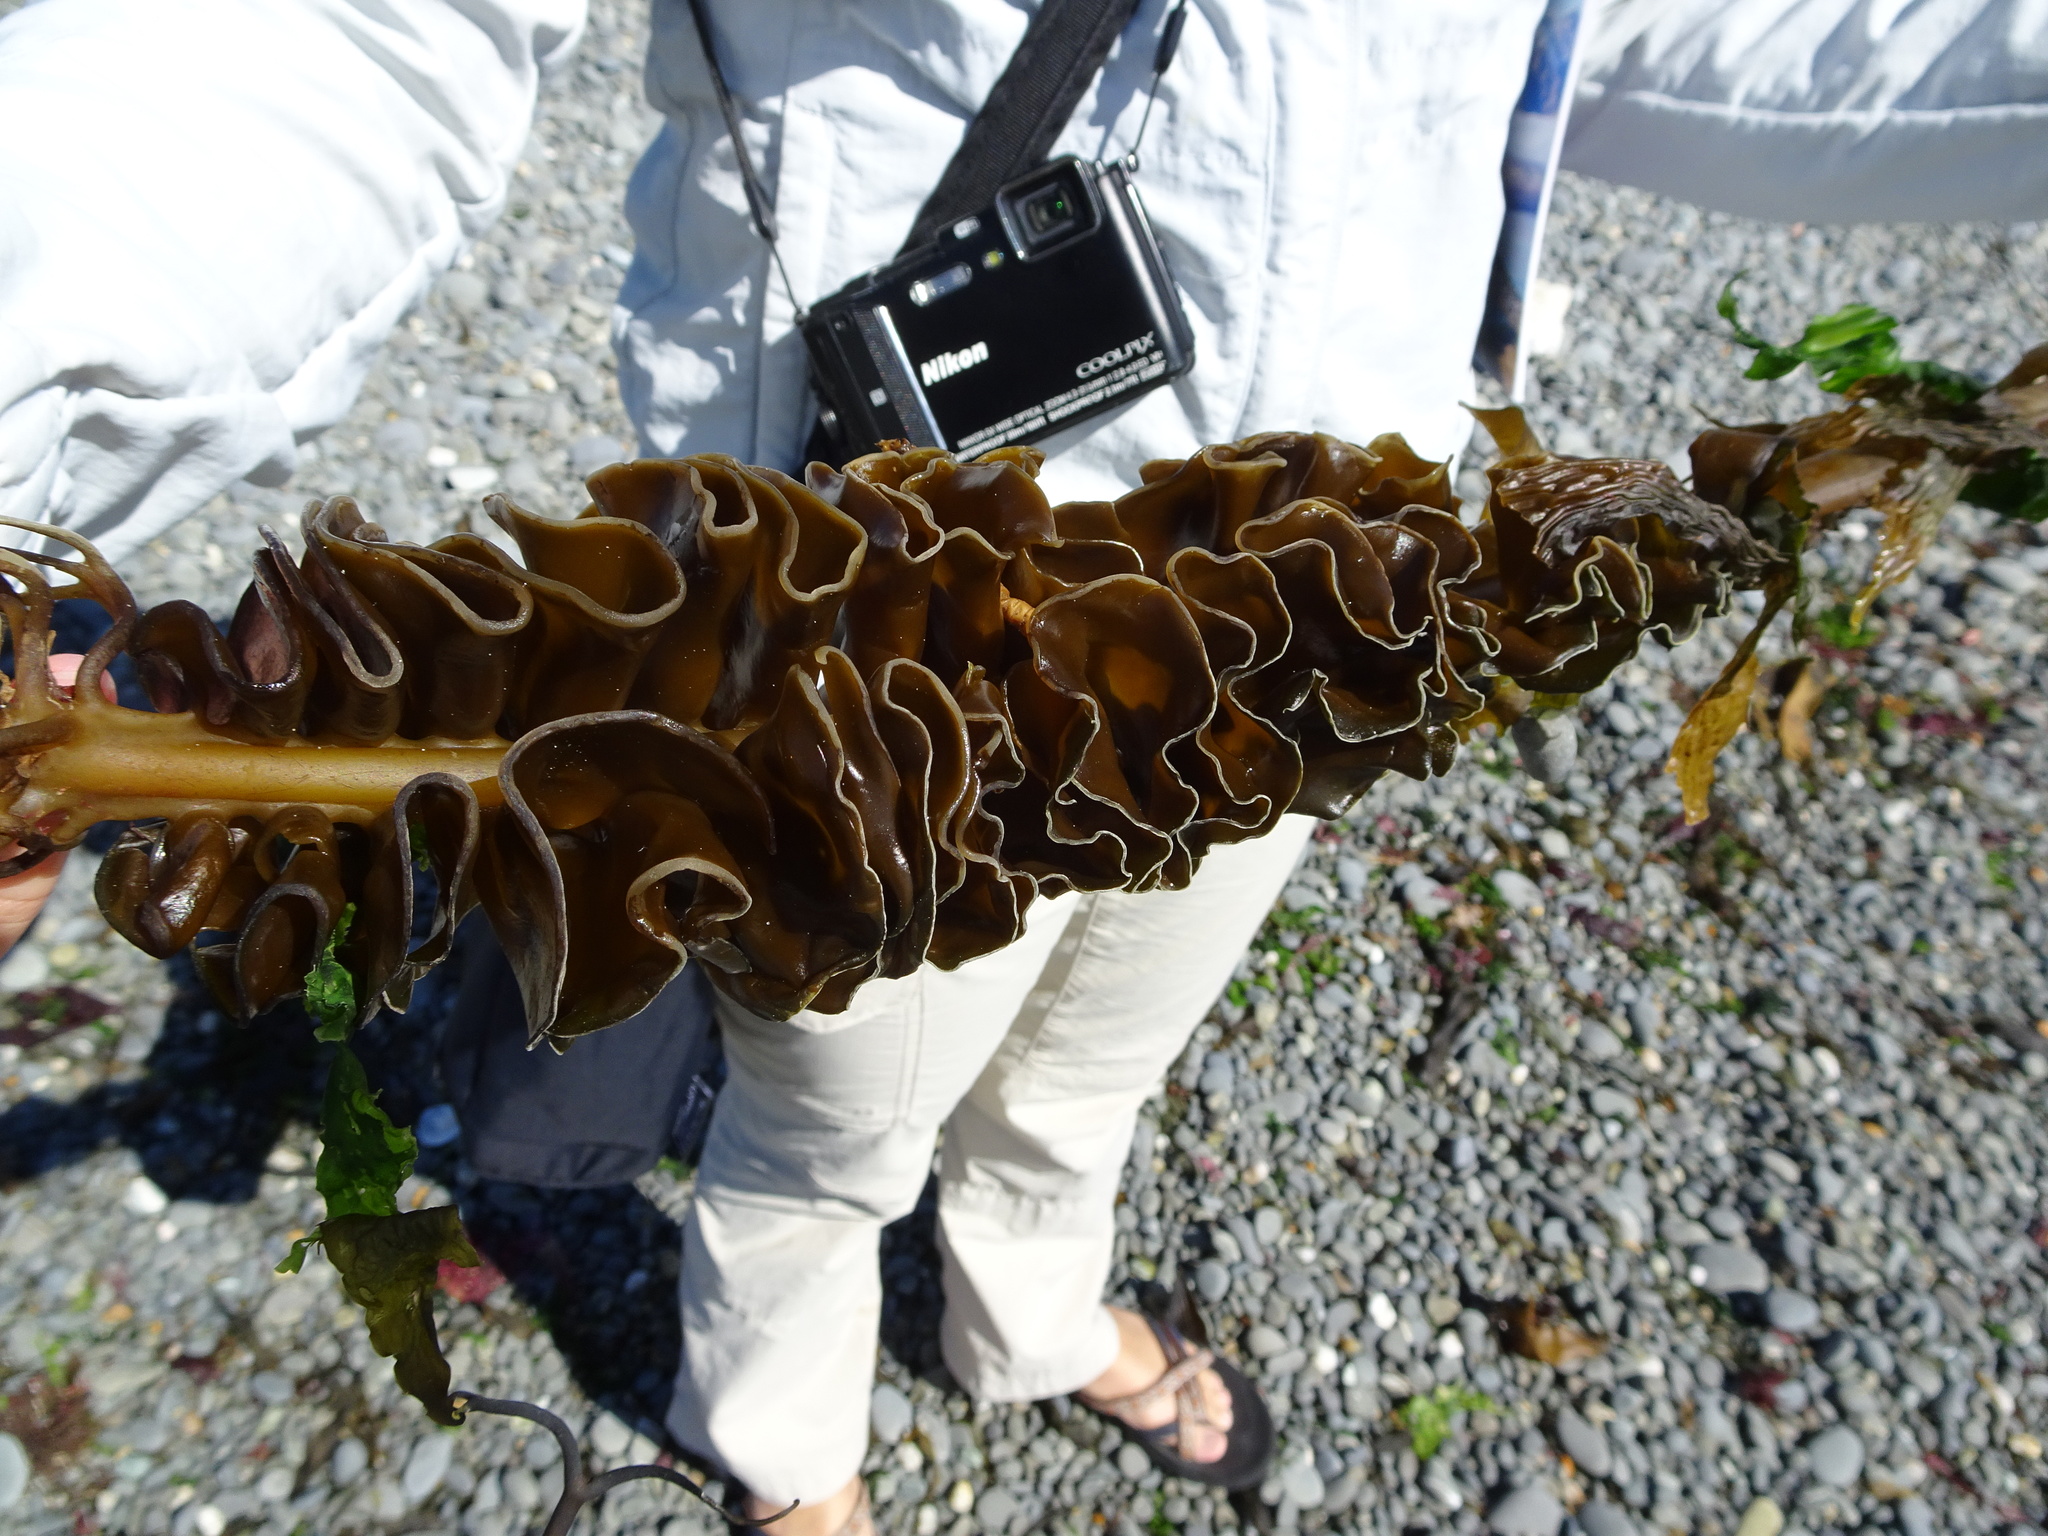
(191, 294)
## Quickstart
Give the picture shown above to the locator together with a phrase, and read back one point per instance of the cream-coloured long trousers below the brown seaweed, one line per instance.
(1035, 1062)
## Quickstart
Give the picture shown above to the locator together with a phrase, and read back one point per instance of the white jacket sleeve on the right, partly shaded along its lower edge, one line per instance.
(1830, 112)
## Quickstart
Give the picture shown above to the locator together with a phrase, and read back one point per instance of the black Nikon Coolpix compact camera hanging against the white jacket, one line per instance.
(1046, 310)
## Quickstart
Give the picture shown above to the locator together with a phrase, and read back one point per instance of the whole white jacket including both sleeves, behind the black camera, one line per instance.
(214, 212)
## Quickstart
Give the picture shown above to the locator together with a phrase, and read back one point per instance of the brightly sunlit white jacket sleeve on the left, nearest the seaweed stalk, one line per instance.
(210, 216)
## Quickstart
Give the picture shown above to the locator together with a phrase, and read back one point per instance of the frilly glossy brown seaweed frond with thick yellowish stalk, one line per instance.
(814, 732)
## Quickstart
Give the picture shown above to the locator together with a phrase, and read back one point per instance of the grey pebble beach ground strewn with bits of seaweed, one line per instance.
(1738, 1125)
